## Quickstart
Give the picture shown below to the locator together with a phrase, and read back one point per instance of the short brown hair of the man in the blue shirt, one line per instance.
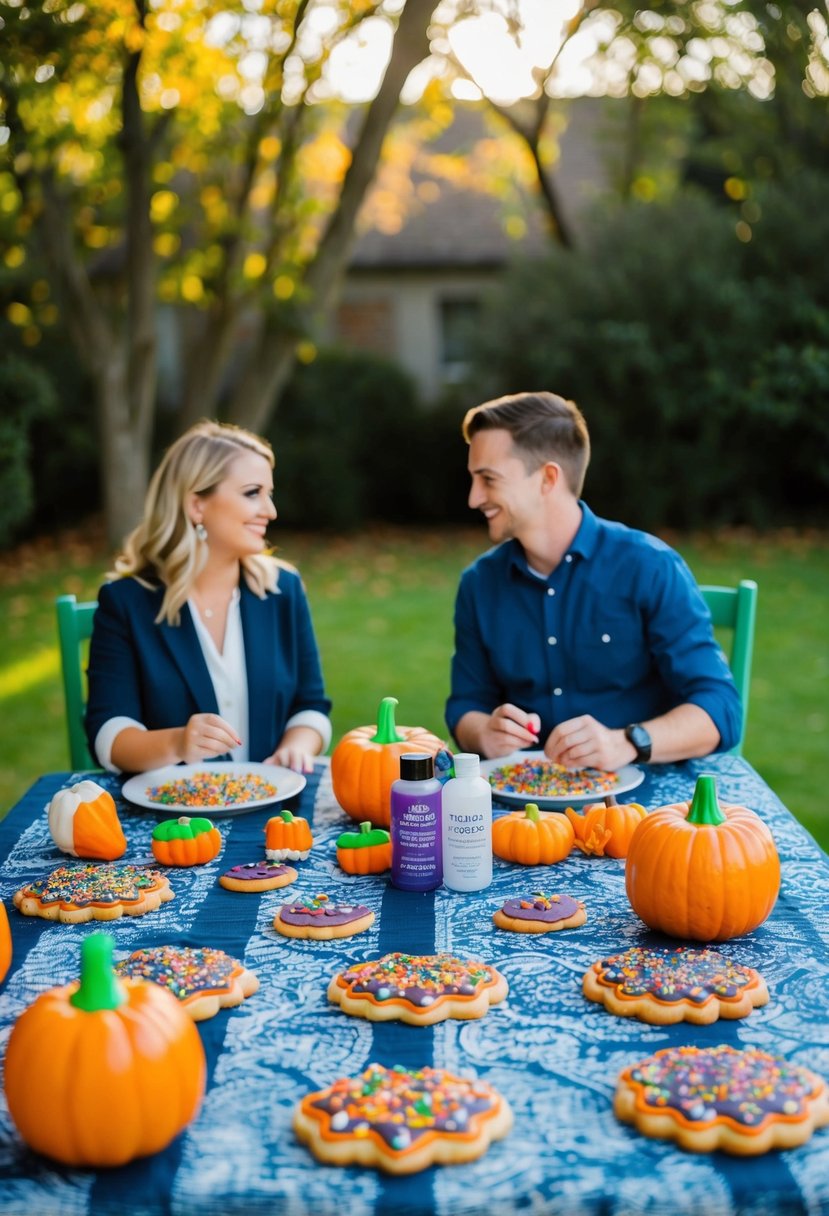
(544, 427)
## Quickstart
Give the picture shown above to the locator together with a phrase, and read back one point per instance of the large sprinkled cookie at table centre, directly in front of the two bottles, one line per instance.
(419, 989)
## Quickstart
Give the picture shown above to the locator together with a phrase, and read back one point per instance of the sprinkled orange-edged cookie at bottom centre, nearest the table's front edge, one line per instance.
(401, 1121)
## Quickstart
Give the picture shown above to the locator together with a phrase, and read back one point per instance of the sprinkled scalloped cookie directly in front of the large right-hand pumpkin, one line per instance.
(669, 984)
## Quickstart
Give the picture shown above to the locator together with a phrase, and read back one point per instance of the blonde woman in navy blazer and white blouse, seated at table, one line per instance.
(202, 645)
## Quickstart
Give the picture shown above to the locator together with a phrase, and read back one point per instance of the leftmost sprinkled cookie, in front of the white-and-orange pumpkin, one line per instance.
(89, 892)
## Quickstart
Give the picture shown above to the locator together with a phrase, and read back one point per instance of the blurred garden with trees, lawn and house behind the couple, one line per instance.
(343, 224)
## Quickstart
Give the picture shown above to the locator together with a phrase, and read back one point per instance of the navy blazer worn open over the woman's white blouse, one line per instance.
(157, 674)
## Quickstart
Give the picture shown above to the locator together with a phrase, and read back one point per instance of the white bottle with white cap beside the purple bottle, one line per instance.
(467, 814)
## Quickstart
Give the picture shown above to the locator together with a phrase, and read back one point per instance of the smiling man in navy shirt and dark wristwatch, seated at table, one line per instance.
(576, 635)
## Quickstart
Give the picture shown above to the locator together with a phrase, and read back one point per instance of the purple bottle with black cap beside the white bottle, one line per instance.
(416, 829)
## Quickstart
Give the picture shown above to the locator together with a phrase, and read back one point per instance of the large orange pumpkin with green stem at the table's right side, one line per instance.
(703, 871)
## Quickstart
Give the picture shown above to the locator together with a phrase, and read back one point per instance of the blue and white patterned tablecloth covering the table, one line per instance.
(554, 1055)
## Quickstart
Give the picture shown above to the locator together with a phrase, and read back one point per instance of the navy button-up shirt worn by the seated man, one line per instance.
(619, 630)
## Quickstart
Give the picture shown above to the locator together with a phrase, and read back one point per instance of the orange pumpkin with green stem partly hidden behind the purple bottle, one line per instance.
(366, 762)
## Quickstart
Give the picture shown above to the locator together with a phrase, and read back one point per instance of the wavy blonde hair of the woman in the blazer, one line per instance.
(165, 548)
